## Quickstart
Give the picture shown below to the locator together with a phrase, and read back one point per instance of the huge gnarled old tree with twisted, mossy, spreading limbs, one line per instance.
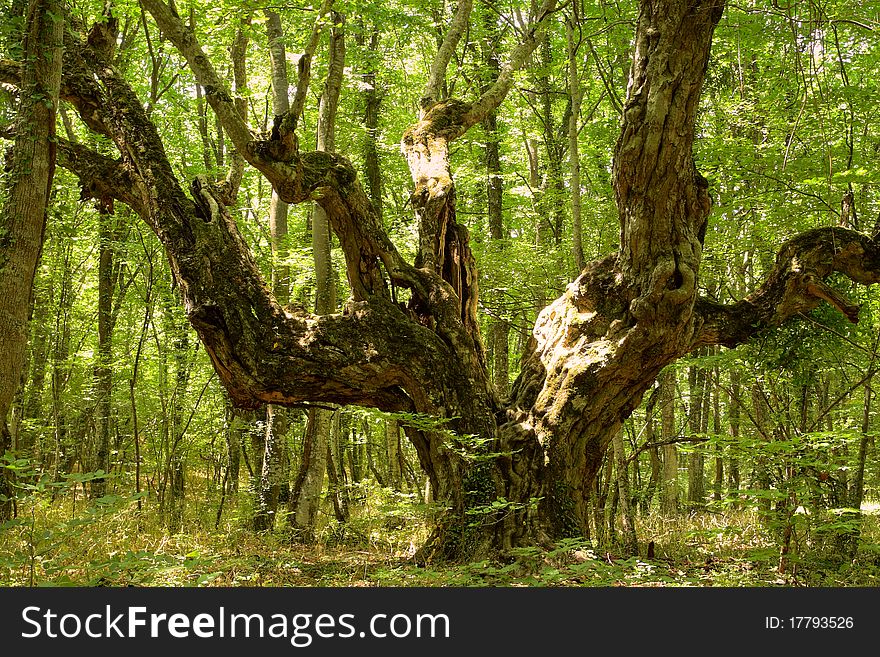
(594, 351)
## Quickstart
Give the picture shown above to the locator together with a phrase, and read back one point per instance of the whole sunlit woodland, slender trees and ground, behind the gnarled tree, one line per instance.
(127, 462)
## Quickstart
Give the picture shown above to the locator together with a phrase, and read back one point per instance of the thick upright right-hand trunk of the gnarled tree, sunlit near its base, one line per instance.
(625, 317)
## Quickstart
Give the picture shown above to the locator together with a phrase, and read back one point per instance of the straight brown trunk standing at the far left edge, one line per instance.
(23, 218)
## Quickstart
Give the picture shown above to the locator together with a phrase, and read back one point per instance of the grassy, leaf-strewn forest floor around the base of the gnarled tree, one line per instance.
(114, 544)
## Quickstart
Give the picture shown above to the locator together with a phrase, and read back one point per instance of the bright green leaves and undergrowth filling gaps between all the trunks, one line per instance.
(787, 127)
